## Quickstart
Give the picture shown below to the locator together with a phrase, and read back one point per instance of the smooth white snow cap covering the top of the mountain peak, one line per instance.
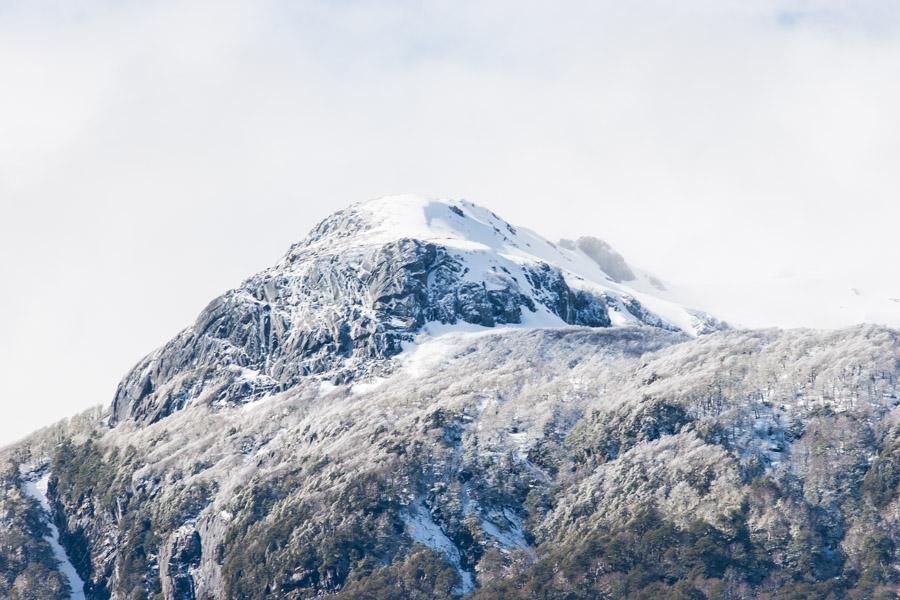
(493, 249)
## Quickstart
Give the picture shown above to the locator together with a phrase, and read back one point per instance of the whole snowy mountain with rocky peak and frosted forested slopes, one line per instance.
(421, 400)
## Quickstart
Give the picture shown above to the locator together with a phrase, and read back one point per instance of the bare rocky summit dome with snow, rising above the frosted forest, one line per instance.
(371, 278)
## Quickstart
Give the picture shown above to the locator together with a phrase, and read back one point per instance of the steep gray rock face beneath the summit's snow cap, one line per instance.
(340, 318)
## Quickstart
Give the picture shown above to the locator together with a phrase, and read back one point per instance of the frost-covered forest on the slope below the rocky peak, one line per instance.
(562, 463)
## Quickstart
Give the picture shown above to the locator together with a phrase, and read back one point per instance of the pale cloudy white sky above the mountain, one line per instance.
(154, 154)
